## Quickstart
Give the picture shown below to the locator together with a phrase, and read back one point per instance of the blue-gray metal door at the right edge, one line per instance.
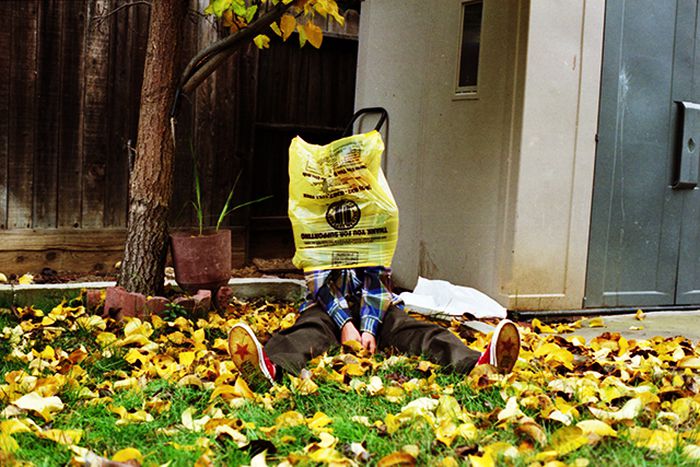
(645, 222)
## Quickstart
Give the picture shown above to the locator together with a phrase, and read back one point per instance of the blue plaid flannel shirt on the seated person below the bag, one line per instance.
(336, 289)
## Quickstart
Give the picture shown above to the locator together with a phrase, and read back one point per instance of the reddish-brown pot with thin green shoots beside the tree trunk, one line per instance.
(202, 259)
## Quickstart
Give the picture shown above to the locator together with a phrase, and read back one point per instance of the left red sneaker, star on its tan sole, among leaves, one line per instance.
(250, 358)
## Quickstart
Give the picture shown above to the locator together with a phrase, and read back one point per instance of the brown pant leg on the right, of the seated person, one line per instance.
(413, 337)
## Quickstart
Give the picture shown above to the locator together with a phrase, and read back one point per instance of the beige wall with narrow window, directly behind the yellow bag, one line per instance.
(448, 159)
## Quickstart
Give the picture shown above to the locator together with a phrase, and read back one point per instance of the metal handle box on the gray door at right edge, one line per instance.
(687, 166)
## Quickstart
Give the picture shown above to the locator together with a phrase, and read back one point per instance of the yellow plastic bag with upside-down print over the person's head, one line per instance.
(342, 211)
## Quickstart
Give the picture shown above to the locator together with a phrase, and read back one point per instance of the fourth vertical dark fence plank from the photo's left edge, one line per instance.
(70, 154)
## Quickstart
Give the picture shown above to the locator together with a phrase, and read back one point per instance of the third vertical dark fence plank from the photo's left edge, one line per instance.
(49, 114)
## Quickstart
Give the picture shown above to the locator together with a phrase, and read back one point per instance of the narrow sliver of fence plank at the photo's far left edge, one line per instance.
(5, 64)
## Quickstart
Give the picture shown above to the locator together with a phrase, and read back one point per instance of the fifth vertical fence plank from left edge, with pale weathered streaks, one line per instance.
(96, 114)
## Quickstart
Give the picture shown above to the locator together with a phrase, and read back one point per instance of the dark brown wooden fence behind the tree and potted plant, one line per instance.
(69, 103)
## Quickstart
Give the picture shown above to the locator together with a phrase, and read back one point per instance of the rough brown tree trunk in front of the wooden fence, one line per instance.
(151, 183)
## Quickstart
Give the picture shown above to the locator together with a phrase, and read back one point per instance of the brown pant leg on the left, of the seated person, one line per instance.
(313, 333)
